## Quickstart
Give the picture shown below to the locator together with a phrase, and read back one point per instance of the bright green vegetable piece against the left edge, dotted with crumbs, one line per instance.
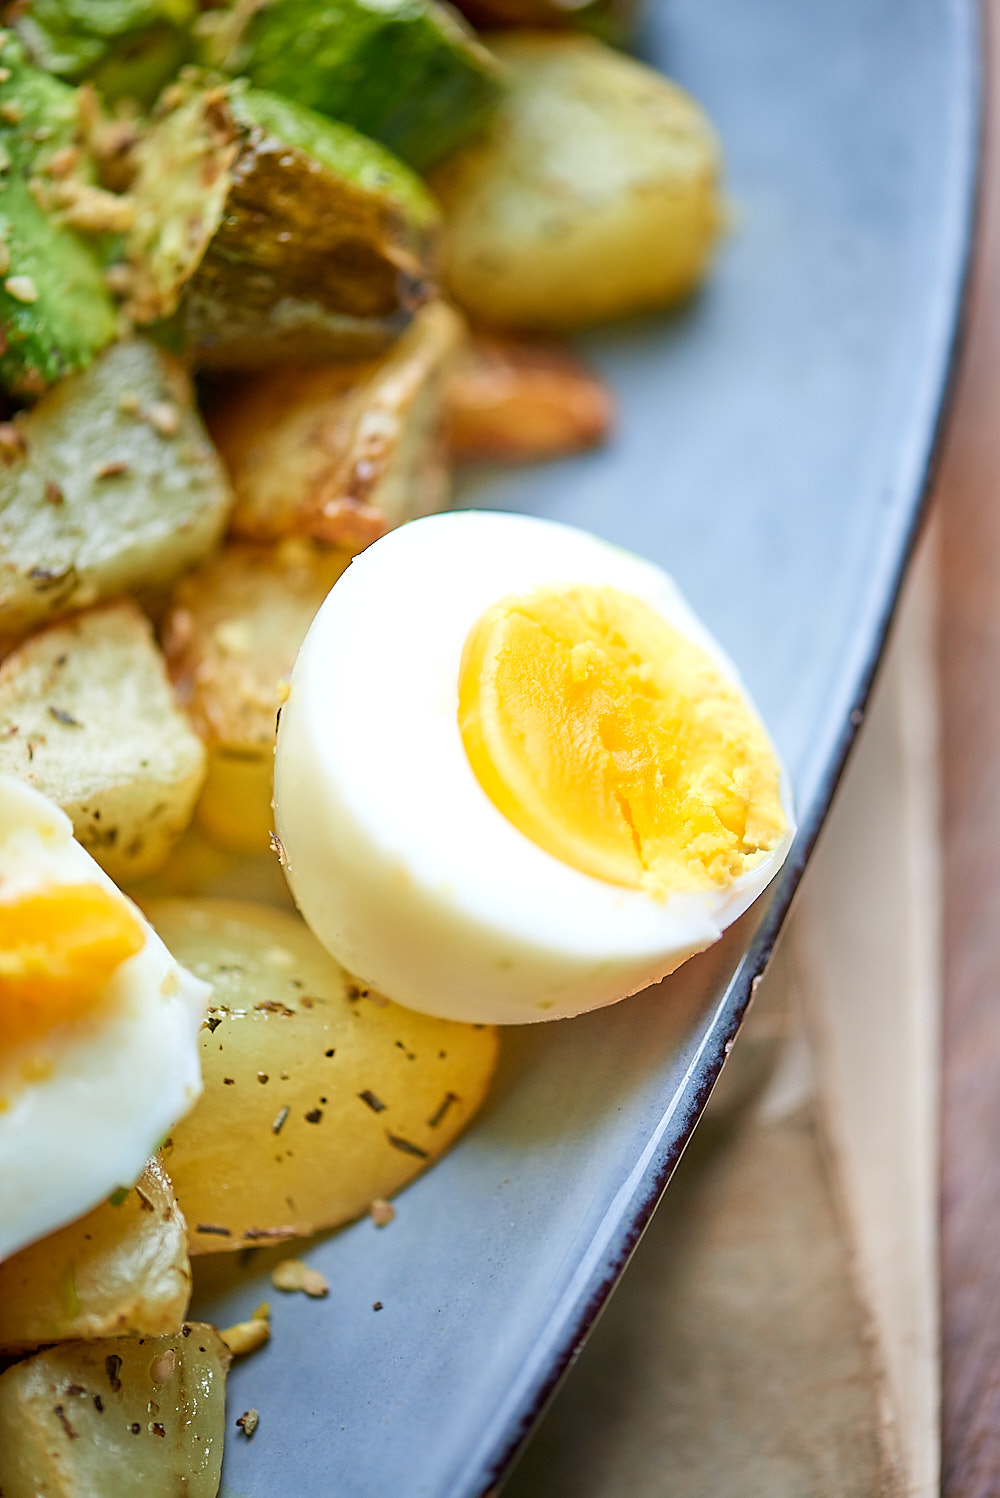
(55, 308)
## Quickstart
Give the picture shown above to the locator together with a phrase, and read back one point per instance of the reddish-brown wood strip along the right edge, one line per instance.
(969, 512)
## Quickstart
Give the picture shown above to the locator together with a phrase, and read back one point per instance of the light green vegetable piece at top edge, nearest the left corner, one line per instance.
(129, 49)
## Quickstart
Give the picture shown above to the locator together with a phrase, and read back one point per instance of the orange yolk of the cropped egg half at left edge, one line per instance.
(59, 947)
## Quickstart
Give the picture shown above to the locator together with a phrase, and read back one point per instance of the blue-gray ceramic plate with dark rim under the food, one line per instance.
(773, 455)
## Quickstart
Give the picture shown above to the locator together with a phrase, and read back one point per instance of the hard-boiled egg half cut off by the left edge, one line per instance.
(98, 1027)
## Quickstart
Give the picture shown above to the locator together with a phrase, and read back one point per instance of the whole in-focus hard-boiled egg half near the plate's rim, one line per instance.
(516, 778)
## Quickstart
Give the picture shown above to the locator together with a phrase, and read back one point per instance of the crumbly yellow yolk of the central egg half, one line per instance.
(616, 744)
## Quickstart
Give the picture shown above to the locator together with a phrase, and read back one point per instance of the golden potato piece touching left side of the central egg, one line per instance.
(231, 637)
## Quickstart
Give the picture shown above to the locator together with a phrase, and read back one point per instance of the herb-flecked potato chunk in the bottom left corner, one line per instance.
(132, 1418)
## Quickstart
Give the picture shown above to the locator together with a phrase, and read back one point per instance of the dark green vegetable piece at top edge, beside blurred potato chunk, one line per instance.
(406, 73)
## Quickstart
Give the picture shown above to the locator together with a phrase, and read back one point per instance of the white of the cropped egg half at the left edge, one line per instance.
(116, 1082)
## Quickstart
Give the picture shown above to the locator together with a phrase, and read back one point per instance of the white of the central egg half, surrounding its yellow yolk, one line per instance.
(394, 853)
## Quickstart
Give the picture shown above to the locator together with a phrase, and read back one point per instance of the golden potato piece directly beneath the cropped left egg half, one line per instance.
(122, 1270)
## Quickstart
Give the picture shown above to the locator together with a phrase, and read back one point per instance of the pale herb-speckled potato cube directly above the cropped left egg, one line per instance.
(88, 717)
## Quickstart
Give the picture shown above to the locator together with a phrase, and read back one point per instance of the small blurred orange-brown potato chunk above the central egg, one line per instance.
(516, 402)
